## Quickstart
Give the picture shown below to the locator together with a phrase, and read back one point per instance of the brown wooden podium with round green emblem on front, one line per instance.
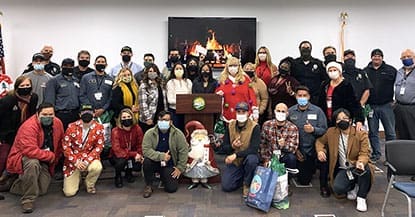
(212, 105)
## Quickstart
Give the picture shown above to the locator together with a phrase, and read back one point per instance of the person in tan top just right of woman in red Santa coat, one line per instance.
(261, 93)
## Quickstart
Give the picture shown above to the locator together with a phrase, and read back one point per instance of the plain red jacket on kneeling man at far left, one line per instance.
(28, 142)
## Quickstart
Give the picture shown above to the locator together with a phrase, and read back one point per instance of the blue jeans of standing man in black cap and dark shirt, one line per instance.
(385, 114)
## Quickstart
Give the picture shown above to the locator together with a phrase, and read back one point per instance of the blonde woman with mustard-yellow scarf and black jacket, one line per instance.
(125, 93)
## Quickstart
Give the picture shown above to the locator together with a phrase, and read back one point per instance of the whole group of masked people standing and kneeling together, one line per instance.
(313, 111)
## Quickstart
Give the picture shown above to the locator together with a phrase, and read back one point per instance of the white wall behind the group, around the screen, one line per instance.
(104, 26)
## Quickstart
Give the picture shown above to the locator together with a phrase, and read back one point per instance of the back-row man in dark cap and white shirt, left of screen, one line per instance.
(126, 55)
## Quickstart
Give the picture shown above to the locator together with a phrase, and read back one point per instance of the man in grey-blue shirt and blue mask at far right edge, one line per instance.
(405, 97)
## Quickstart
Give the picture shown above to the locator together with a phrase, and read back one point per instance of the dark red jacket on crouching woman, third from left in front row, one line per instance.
(126, 144)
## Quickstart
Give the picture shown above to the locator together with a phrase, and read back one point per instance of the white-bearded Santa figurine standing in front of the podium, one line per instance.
(201, 164)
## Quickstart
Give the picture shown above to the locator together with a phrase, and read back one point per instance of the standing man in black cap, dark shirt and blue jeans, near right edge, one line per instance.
(380, 100)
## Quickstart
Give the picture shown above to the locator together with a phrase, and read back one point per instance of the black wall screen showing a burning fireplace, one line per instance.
(213, 40)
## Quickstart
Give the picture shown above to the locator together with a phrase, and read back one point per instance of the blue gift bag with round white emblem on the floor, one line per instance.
(262, 188)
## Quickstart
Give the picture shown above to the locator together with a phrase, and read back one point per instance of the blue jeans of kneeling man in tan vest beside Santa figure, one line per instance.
(234, 176)
